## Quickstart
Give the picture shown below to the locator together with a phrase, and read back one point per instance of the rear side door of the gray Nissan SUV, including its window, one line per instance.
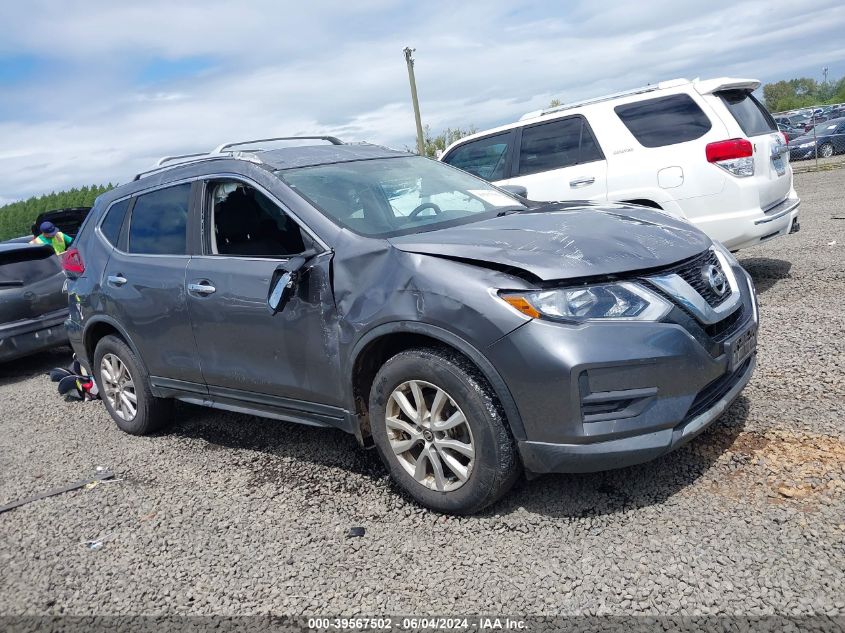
(143, 287)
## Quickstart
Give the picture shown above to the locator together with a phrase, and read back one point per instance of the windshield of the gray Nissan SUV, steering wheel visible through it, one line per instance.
(394, 196)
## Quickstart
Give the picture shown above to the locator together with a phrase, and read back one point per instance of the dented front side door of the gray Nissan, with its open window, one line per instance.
(247, 351)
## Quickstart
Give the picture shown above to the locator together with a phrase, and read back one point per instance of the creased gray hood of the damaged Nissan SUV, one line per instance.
(566, 241)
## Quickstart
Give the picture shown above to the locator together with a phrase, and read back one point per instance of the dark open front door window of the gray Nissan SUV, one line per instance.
(245, 222)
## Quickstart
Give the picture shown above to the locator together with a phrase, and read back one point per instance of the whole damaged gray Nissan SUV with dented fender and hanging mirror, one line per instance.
(467, 334)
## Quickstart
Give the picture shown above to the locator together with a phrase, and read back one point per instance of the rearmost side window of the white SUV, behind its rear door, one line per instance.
(664, 121)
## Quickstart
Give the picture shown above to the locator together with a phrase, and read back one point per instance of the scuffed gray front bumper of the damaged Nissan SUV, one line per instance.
(607, 395)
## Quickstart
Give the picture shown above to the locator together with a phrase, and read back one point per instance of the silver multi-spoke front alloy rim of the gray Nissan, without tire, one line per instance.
(430, 435)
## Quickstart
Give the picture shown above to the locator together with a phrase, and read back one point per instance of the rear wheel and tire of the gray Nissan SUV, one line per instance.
(125, 389)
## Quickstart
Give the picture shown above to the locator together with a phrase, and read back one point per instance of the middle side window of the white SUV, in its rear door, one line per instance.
(557, 144)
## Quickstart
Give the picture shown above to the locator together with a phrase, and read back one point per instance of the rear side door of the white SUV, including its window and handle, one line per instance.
(560, 160)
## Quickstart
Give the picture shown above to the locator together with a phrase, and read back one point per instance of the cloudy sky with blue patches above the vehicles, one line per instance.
(92, 91)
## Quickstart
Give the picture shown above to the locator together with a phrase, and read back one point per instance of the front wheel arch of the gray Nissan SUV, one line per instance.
(387, 340)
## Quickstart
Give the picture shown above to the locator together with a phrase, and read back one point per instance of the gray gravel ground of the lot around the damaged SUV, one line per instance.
(229, 514)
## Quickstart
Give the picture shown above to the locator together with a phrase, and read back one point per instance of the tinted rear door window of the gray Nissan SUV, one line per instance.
(159, 222)
